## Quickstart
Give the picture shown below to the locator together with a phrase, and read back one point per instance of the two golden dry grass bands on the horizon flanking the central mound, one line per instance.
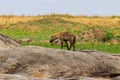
(100, 21)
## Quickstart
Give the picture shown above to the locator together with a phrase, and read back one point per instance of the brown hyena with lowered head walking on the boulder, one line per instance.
(65, 37)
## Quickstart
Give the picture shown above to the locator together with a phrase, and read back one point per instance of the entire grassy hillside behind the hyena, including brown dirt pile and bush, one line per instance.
(93, 33)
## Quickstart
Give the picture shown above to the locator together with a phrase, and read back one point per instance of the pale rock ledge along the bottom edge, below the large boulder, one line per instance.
(19, 77)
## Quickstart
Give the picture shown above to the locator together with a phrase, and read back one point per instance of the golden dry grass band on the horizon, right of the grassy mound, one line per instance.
(101, 21)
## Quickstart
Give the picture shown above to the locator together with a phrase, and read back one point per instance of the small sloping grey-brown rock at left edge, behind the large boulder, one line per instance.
(6, 42)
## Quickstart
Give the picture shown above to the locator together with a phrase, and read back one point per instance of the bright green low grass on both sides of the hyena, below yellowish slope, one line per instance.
(39, 37)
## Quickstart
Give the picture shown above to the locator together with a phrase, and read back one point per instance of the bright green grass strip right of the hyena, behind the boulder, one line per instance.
(100, 47)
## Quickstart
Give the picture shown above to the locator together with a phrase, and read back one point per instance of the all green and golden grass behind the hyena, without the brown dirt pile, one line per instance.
(40, 28)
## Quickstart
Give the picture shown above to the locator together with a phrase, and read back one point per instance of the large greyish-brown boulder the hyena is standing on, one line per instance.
(56, 63)
